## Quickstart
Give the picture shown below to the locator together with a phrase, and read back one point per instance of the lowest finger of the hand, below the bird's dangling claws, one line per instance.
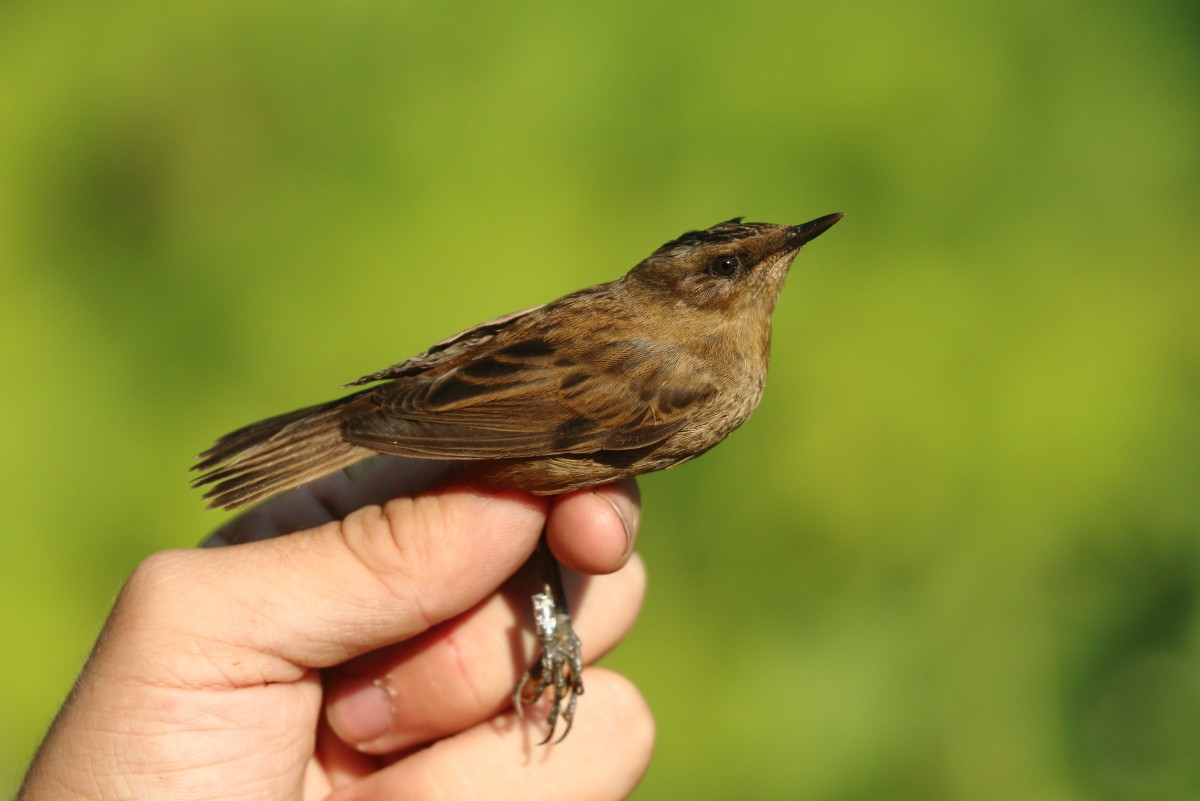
(604, 758)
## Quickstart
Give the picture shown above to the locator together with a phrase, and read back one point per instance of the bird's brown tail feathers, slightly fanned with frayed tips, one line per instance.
(277, 454)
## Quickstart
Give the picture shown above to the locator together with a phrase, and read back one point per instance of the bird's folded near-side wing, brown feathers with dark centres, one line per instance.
(530, 398)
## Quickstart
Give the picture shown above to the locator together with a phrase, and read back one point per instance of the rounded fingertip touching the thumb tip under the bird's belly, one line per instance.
(595, 531)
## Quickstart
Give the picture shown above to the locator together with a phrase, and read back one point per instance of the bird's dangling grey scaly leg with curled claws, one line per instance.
(561, 665)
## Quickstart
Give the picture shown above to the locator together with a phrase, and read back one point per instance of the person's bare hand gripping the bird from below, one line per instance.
(323, 665)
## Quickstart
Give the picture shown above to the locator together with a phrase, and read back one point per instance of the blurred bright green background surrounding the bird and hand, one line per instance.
(955, 556)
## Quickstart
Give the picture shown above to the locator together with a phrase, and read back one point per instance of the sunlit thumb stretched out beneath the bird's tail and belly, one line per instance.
(267, 611)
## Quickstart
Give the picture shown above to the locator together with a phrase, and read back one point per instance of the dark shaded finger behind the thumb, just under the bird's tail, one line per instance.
(332, 498)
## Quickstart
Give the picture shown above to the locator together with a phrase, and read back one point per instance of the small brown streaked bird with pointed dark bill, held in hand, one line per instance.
(628, 377)
